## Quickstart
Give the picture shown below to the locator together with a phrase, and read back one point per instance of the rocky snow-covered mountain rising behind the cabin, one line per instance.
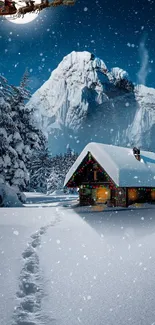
(84, 101)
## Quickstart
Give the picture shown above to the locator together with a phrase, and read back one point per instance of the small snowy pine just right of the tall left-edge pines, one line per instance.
(40, 168)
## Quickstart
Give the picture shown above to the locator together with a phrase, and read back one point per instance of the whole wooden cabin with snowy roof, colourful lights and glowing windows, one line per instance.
(114, 175)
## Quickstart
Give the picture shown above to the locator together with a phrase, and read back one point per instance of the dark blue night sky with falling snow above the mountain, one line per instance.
(121, 33)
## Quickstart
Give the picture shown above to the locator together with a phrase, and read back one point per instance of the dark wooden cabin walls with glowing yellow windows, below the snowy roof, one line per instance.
(90, 175)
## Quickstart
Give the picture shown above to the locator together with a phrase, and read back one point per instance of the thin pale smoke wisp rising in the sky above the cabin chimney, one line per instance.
(144, 61)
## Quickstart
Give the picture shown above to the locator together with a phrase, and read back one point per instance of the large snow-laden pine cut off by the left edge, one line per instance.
(12, 150)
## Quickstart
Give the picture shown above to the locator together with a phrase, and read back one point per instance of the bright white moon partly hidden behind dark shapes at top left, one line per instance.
(27, 18)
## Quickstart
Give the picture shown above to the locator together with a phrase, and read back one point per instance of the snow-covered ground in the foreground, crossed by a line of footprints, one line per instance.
(69, 265)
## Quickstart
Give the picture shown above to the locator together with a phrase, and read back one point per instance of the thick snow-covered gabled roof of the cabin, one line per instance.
(120, 164)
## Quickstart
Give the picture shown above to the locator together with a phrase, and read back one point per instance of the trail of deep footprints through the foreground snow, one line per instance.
(30, 293)
